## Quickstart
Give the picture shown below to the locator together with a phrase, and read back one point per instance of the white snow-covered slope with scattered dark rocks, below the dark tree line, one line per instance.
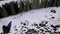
(22, 22)
